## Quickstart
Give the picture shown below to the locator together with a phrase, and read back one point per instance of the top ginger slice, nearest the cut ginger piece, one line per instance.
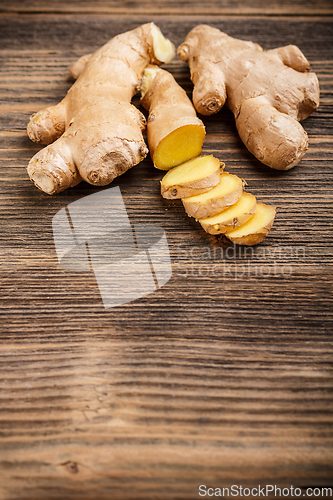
(192, 177)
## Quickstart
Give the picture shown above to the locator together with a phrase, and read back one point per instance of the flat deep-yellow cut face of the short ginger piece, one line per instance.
(179, 146)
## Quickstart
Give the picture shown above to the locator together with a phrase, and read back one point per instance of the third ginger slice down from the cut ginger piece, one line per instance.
(232, 217)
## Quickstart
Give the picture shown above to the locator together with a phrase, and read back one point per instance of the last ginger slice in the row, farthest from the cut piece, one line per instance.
(255, 230)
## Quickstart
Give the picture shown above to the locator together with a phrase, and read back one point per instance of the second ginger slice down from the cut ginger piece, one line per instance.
(226, 193)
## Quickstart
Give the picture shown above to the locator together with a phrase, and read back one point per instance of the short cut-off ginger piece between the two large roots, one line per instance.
(174, 132)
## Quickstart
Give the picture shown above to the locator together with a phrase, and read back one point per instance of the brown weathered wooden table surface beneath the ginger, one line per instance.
(221, 377)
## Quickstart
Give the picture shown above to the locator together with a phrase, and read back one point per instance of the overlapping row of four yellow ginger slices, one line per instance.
(218, 201)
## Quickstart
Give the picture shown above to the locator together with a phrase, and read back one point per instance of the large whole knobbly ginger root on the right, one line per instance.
(269, 92)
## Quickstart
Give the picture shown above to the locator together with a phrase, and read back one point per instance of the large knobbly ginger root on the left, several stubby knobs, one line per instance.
(95, 133)
